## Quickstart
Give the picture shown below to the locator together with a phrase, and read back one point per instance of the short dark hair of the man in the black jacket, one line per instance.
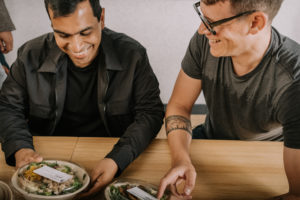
(66, 7)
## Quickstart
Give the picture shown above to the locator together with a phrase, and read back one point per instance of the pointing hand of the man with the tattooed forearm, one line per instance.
(180, 173)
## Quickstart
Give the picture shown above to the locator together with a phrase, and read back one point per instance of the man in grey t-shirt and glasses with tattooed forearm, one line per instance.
(250, 77)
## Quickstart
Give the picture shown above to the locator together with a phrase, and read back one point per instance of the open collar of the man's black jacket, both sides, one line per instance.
(52, 60)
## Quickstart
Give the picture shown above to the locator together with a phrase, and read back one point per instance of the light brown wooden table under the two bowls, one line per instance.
(226, 169)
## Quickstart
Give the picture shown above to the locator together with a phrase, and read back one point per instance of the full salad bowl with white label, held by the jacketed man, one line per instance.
(50, 180)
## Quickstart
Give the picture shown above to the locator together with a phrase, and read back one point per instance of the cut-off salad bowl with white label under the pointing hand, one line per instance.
(130, 189)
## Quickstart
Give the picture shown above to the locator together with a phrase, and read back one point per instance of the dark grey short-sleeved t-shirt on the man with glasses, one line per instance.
(260, 105)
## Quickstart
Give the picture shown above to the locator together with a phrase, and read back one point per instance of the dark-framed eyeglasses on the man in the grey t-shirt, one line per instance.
(210, 25)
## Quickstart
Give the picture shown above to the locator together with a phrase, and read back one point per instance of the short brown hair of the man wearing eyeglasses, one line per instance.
(270, 7)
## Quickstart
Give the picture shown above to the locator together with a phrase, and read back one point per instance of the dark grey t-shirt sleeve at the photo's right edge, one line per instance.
(288, 115)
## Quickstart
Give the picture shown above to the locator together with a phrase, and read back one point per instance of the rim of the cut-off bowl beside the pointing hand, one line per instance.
(131, 182)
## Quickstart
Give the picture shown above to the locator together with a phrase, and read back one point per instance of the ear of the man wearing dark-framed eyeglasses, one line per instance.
(258, 21)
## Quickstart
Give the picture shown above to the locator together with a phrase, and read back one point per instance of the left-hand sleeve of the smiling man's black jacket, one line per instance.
(14, 133)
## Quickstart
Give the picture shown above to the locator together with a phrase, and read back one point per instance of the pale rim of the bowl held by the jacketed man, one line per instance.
(80, 173)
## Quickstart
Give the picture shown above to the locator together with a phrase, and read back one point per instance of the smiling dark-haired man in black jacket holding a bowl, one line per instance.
(81, 80)
